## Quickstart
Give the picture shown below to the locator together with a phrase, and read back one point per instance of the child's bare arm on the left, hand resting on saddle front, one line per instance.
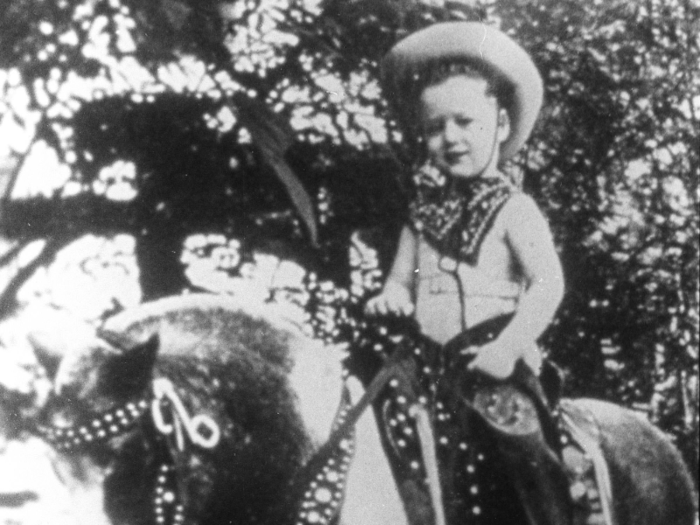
(396, 296)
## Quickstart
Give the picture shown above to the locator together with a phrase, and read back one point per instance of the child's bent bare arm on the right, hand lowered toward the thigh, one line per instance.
(529, 240)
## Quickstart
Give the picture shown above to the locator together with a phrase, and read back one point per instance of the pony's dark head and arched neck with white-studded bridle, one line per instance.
(191, 409)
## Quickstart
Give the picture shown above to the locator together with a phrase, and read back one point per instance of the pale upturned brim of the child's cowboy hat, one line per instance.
(473, 41)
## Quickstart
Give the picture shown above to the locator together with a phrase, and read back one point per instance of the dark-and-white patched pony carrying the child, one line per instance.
(205, 409)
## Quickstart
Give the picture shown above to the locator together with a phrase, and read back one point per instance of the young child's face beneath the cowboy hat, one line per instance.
(463, 126)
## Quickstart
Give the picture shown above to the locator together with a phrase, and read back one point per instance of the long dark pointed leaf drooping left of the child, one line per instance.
(273, 136)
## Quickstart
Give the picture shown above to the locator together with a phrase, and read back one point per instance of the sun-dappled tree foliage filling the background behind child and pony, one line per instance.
(260, 123)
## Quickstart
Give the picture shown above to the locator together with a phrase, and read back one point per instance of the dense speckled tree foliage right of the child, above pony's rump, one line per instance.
(613, 162)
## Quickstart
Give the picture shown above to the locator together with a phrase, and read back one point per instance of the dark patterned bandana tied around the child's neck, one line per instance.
(455, 214)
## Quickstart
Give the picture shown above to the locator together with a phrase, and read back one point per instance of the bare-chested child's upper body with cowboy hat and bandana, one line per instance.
(475, 247)
